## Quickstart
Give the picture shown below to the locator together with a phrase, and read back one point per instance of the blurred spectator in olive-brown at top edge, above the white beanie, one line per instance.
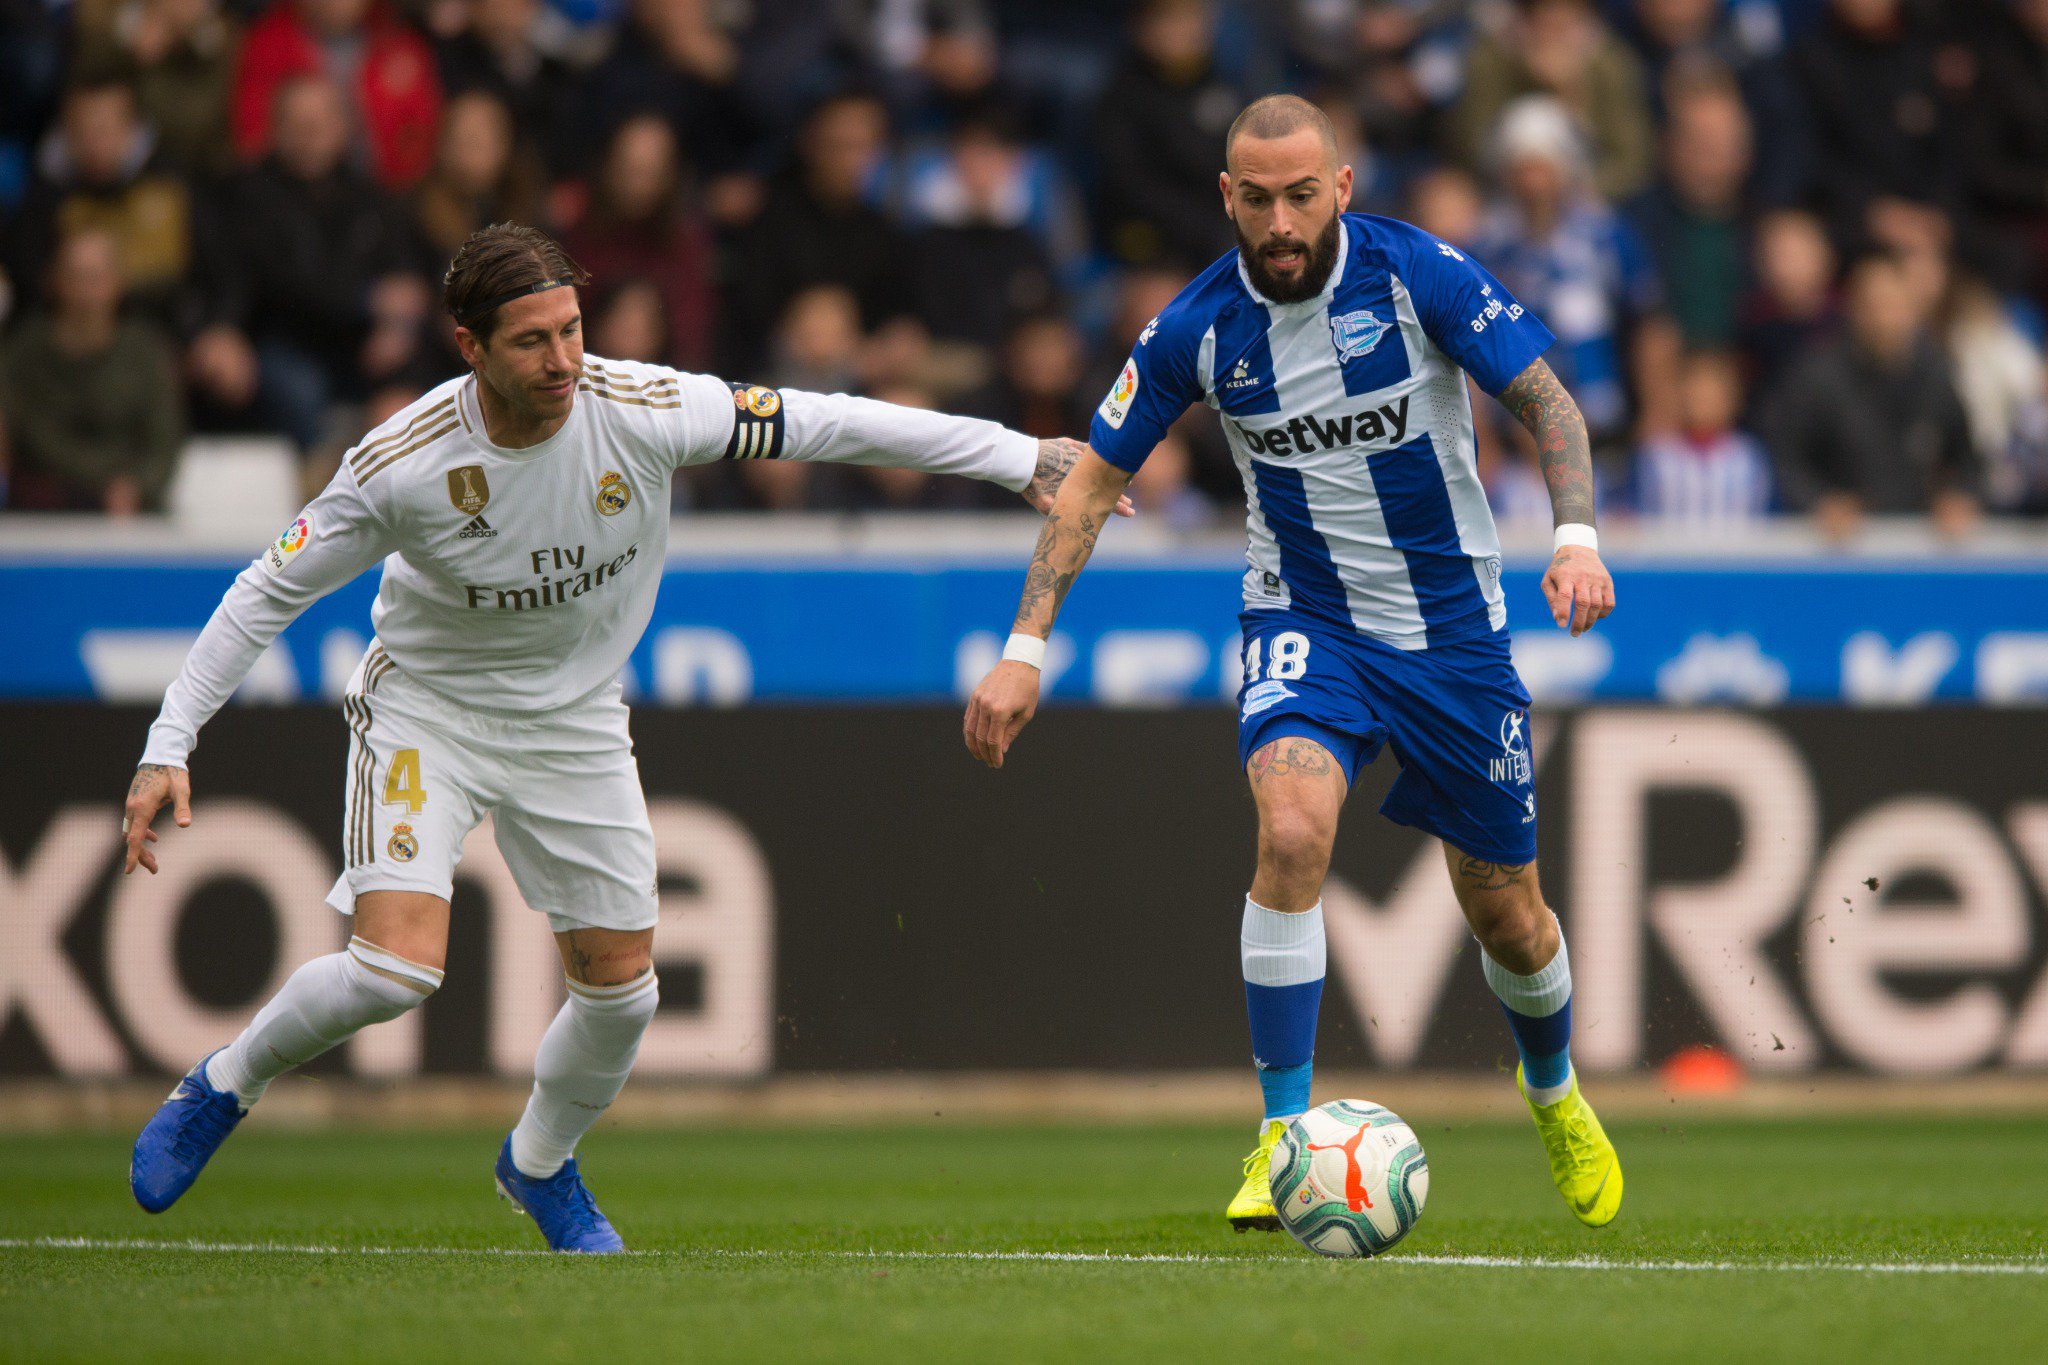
(1564, 50)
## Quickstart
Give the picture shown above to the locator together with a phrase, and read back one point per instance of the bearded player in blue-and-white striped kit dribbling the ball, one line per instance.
(1336, 351)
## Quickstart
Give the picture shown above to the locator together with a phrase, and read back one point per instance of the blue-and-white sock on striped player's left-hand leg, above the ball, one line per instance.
(1283, 959)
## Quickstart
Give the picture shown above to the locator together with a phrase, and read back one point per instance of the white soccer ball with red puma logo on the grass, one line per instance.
(1349, 1180)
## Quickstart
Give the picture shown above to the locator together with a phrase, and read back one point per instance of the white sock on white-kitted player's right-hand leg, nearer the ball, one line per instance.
(581, 1069)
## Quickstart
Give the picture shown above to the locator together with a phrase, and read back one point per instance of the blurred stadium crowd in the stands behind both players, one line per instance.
(1795, 251)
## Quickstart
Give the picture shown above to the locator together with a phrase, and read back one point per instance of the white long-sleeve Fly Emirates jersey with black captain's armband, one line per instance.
(521, 580)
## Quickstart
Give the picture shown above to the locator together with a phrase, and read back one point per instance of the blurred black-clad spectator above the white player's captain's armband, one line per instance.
(818, 228)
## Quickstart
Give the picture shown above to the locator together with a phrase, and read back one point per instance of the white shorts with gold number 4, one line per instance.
(564, 793)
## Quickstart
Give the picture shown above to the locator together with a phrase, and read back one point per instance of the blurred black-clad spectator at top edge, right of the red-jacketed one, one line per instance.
(501, 54)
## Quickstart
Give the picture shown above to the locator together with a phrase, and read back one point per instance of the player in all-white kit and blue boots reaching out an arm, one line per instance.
(521, 515)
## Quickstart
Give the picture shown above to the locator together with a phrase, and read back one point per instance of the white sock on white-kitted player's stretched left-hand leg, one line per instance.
(321, 1006)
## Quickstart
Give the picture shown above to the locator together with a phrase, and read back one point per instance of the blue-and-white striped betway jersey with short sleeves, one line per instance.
(1351, 425)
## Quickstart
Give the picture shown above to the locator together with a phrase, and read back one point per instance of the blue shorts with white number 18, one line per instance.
(1457, 719)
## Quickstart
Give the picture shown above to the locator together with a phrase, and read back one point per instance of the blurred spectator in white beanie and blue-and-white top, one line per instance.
(1584, 271)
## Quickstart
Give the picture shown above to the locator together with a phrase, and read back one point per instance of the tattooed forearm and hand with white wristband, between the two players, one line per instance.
(1091, 490)
